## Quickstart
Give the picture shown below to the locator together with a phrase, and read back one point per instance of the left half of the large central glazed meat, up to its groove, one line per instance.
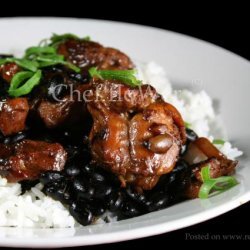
(109, 139)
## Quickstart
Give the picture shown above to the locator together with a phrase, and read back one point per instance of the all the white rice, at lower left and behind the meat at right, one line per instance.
(34, 209)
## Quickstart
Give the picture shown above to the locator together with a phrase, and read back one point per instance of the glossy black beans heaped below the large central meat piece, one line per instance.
(90, 191)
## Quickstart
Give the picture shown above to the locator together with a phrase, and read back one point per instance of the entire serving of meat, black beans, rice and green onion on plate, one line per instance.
(82, 134)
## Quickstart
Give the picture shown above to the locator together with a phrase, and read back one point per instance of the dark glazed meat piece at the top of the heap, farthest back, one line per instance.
(86, 54)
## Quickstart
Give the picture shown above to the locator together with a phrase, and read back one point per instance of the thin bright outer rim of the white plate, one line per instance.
(128, 234)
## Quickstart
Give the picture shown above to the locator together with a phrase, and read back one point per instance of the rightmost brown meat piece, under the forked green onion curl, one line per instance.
(201, 153)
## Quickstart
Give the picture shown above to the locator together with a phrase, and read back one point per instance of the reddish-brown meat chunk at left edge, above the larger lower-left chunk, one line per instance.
(13, 114)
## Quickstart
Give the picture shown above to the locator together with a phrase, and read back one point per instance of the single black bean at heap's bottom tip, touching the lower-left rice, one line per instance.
(81, 214)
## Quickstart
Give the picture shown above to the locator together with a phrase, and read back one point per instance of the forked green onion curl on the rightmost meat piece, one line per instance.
(214, 185)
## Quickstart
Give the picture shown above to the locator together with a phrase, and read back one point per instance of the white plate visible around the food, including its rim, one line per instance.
(224, 75)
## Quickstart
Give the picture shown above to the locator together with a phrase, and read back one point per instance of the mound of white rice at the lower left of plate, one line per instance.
(33, 209)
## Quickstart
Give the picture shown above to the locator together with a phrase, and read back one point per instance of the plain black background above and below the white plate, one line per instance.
(221, 25)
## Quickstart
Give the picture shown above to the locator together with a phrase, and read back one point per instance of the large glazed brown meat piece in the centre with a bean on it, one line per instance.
(139, 140)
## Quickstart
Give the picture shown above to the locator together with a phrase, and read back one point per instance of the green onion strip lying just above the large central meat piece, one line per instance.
(125, 76)
